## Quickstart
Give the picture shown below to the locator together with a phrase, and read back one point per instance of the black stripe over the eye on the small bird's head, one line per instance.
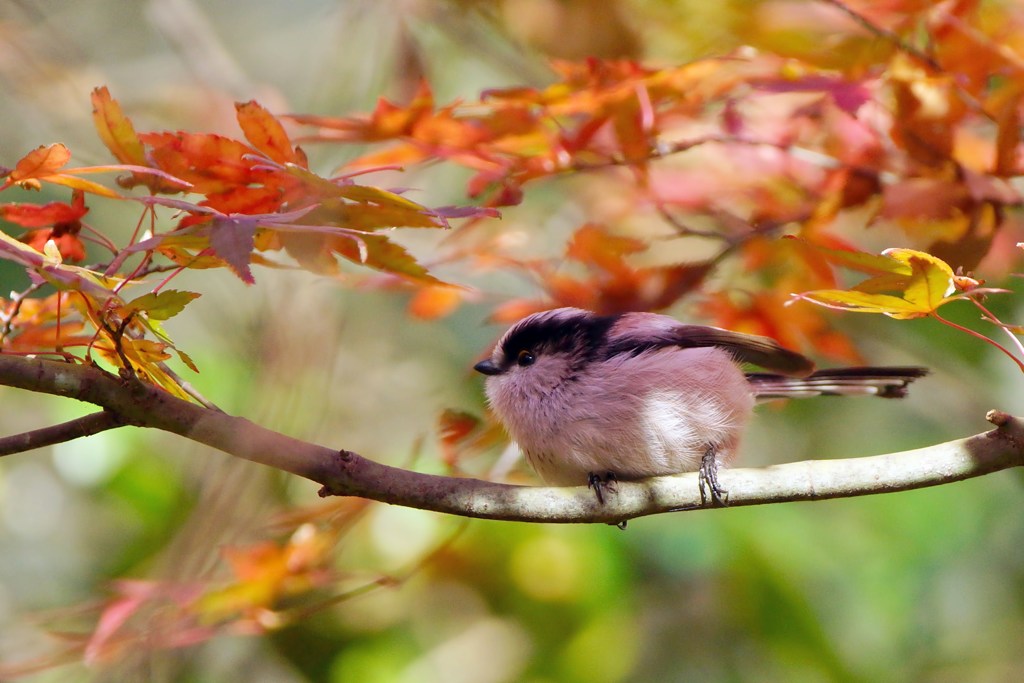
(578, 333)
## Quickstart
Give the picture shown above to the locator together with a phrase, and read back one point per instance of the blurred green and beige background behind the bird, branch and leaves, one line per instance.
(923, 586)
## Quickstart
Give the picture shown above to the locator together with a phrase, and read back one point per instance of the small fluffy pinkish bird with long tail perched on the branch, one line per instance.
(594, 399)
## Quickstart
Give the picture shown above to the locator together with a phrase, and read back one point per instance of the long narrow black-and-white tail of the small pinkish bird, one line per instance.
(884, 382)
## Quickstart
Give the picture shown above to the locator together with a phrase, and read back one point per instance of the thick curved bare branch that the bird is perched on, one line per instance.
(346, 474)
